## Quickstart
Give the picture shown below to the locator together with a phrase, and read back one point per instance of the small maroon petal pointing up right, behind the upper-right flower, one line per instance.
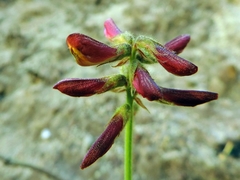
(178, 44)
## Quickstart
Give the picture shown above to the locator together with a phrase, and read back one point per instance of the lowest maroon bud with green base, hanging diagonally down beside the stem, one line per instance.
(106, 139)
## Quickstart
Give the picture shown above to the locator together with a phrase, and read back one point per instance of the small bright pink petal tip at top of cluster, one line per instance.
(110, 29)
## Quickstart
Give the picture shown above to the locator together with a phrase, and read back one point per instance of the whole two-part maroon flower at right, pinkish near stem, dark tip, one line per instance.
(145, 86)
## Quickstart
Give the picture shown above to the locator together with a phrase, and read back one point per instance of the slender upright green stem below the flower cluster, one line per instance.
(128, 140)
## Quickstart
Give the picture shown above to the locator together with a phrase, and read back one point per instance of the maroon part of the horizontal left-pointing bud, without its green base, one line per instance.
(80, 87)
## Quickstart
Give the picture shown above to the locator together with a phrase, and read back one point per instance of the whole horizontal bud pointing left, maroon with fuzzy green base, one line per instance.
(87, 87)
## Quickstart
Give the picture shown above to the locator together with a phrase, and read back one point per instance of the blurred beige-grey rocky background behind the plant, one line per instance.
(42, 127)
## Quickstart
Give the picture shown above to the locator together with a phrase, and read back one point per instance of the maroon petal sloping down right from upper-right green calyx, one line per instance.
(173, 63)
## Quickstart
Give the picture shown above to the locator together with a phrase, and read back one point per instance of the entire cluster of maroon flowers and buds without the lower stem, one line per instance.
(132, 53)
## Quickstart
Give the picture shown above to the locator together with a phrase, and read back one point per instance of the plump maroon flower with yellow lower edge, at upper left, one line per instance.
(88, 51)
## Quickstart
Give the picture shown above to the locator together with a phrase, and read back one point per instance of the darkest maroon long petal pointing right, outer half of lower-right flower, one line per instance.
(186, 97)
